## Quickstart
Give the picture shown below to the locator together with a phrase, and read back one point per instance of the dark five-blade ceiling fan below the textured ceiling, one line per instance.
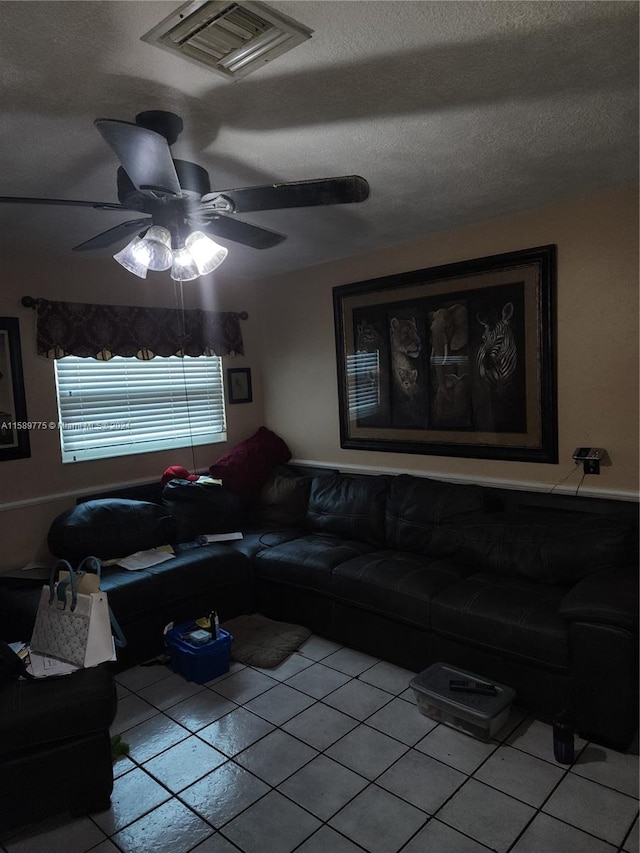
(176, 194)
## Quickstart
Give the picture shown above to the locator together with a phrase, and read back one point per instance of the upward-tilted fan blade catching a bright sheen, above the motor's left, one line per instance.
(144, 154)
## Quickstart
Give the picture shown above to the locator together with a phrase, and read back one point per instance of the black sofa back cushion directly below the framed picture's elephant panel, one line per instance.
(416, 506)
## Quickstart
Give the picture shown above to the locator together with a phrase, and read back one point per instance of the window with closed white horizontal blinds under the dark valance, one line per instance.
(125, 405)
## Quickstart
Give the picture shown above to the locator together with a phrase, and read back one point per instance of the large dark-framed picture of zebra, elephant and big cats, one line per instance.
(453, 360)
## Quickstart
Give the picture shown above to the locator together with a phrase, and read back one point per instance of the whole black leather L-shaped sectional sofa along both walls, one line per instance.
(409, 569)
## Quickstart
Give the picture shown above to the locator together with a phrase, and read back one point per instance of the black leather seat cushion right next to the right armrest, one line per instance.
(508, 616)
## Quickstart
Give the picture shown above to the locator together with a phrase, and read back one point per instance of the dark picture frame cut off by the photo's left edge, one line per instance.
(14, 427)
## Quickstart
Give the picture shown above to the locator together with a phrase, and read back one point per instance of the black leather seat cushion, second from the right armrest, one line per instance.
(396, 584)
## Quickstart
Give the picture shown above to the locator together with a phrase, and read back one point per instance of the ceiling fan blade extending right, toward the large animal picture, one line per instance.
(350, 188)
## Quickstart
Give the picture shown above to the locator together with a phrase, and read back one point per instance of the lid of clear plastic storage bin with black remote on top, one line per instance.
(434, 682)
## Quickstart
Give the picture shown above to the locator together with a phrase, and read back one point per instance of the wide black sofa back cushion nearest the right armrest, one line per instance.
(543, 547)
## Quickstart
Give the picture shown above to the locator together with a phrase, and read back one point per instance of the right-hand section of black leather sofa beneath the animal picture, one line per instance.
(415, 571)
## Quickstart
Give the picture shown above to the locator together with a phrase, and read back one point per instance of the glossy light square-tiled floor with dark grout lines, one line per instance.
(328, 753)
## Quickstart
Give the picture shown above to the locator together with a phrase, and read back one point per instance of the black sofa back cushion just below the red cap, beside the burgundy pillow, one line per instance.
(200, 508)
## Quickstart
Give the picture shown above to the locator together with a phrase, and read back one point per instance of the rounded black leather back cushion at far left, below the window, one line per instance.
(110, 528)
